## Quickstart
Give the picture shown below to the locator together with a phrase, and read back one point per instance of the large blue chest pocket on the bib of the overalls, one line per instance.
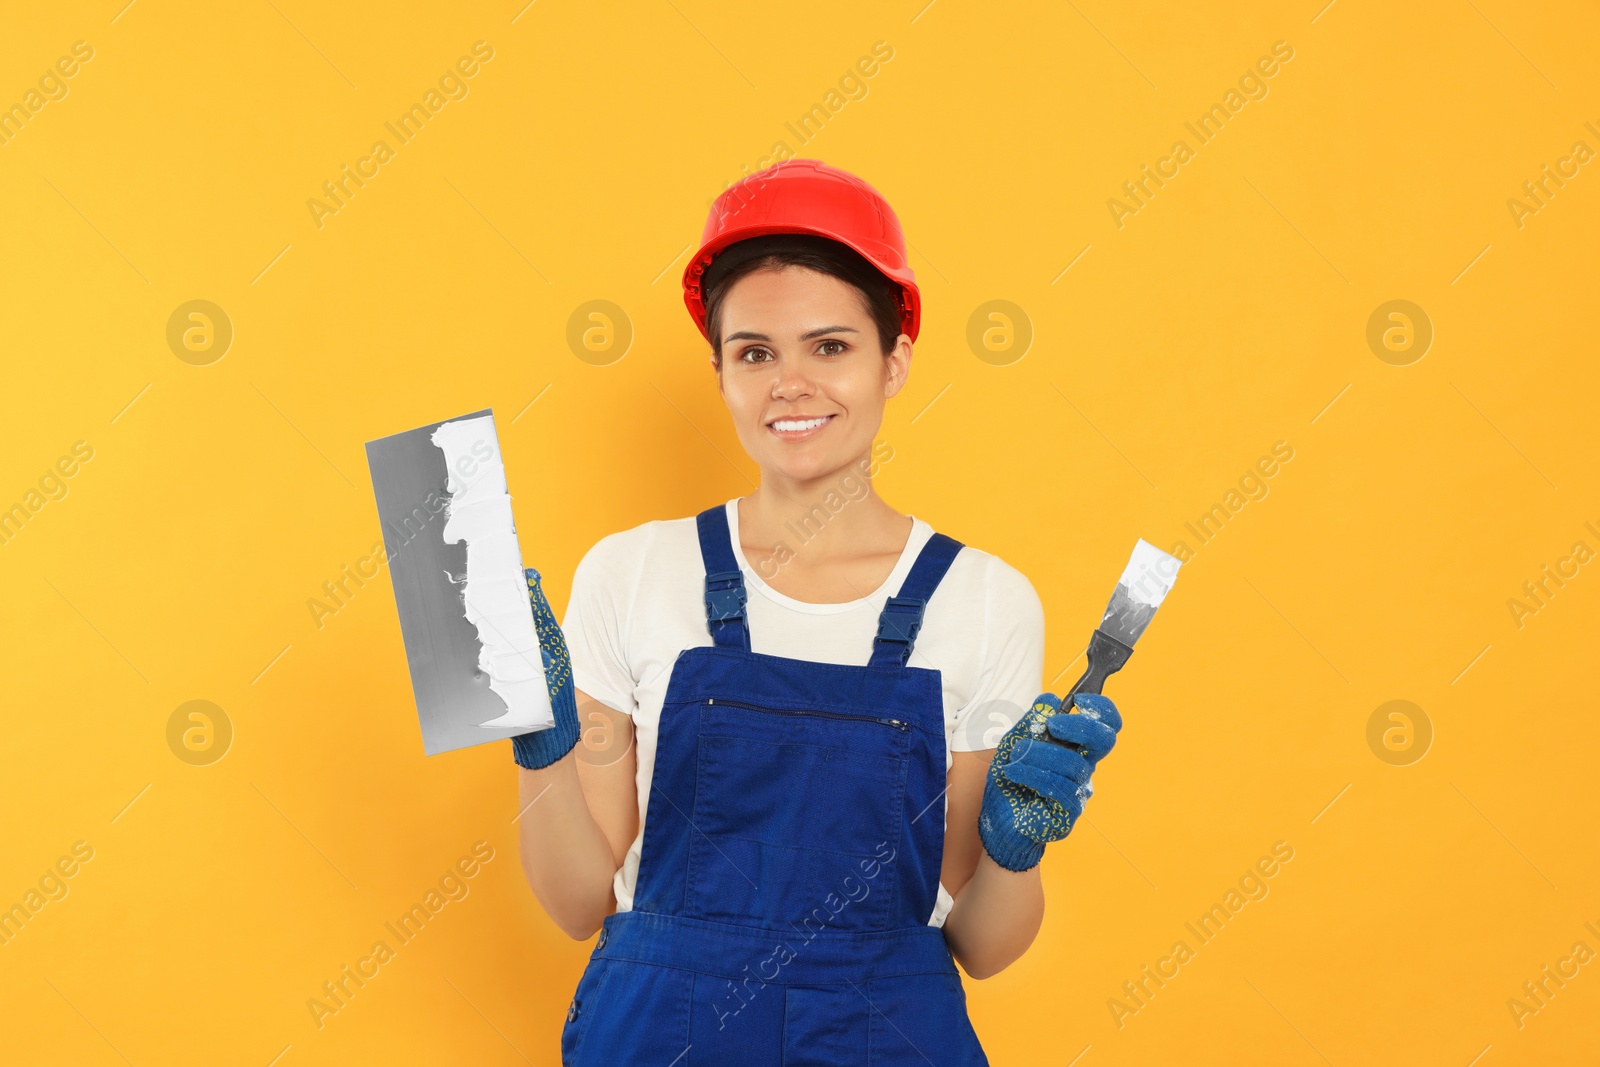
(799, 817)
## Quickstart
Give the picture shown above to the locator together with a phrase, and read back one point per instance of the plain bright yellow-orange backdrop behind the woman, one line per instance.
(1228, 314)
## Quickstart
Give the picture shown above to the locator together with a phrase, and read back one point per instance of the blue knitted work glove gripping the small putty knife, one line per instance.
(1038, 785)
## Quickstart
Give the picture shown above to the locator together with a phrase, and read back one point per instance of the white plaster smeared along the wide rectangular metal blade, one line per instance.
(495, 594)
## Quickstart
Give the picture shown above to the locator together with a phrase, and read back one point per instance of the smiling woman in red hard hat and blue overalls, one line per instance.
(759, 833)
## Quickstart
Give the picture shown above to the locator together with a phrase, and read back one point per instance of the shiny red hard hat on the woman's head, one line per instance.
(807, 198)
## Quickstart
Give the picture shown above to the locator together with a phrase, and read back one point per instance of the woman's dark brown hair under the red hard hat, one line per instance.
(823, 255)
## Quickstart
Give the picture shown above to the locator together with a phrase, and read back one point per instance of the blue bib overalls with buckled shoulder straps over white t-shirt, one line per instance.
(791, 860)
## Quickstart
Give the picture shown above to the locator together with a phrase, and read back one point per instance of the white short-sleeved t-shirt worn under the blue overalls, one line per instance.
(639, 599)
